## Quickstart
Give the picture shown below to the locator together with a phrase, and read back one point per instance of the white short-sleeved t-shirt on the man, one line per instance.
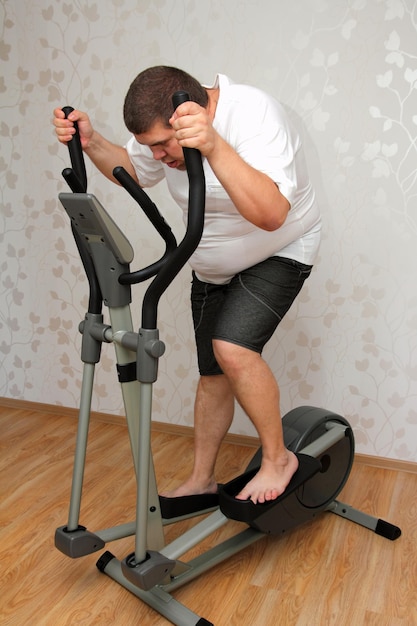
(257, 127)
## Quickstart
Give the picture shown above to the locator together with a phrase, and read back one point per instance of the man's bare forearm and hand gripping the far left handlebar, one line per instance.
(104, 154)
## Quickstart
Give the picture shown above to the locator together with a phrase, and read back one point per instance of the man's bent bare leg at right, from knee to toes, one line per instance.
(256, 390)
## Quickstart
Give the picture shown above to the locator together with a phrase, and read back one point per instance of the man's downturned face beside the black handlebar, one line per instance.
(161, 141)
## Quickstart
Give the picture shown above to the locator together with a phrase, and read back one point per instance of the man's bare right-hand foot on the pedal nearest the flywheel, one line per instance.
(271, 480)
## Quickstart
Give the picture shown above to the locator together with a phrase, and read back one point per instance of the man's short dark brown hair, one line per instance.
(149, 98)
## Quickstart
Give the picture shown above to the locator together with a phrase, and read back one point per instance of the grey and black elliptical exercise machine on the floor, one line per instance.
(322, 440)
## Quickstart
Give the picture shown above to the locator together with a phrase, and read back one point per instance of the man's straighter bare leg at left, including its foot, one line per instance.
(213, 415)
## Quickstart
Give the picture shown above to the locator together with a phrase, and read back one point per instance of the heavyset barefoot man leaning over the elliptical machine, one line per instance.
(260, 239)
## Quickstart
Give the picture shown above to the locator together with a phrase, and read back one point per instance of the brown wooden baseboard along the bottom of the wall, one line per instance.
(187, 431)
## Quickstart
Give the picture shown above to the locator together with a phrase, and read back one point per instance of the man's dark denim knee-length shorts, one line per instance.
(245, 311)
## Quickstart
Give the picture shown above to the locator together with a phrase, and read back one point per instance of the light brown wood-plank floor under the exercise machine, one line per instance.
(324, 573)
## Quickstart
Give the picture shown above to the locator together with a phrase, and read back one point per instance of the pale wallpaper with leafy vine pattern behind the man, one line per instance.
(346, 70)
